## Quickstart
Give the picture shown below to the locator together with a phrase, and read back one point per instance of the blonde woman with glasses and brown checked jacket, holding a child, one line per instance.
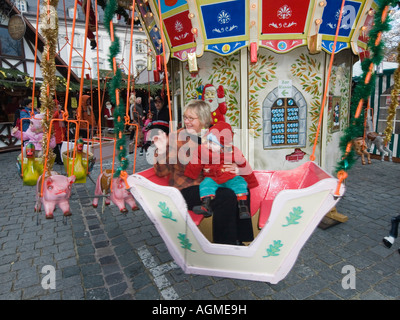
(171, 157)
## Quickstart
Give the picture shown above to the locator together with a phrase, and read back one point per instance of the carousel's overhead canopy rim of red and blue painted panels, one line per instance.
(225, 26)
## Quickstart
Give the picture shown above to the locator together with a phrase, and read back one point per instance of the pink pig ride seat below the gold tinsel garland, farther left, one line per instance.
(56, 191)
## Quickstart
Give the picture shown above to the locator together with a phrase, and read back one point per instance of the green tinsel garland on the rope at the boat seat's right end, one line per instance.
(363, 90)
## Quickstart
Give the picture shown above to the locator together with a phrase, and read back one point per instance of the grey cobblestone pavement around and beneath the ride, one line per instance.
(107, 255)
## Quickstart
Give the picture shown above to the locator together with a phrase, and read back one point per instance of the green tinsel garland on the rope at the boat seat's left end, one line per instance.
(113, 85)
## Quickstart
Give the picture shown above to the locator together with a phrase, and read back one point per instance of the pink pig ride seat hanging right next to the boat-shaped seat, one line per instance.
(118, 193)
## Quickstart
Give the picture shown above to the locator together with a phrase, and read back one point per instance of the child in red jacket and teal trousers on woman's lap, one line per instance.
(213, 153)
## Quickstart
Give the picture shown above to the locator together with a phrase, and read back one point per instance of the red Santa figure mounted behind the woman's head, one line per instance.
(216, 100)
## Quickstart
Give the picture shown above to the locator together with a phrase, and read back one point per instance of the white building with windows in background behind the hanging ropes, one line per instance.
(92, 63)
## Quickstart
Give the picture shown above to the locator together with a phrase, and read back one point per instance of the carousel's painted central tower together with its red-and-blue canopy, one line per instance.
(272, 59)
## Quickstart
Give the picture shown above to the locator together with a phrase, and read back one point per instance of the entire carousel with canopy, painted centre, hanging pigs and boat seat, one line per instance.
(281, 74)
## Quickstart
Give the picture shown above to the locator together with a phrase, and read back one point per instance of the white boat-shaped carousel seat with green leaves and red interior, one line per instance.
(287, 206)
